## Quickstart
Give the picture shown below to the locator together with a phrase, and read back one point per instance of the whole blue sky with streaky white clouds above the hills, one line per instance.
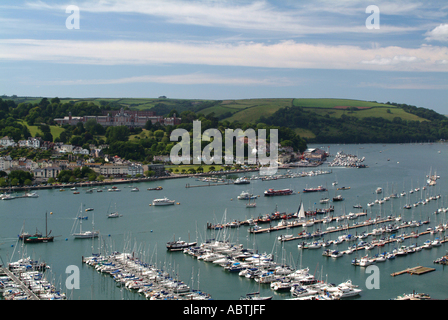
(381, 51)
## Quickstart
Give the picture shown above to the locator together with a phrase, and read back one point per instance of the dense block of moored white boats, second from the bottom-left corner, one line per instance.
(133, 274)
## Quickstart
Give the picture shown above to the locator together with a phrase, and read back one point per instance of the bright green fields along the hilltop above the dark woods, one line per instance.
(250, 110)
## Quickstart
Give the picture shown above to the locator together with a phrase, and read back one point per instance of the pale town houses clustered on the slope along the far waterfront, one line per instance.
(66, 158)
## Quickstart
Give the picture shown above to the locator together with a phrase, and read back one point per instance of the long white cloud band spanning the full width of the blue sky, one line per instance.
(287, 54)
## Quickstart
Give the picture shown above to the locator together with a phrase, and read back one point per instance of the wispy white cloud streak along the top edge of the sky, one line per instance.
(257, 15)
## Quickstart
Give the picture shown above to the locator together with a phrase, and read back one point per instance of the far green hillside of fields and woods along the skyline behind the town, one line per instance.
(316, 120)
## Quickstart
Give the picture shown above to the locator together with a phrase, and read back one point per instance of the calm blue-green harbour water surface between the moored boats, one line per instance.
(146, 229)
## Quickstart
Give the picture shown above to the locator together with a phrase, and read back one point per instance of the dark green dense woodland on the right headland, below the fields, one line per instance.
(350, 129)
